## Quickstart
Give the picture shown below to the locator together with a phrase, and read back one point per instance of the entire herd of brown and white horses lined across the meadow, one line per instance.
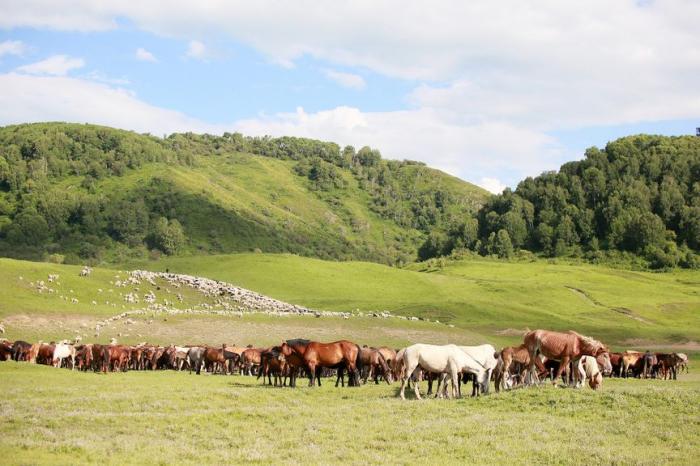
(576, 358)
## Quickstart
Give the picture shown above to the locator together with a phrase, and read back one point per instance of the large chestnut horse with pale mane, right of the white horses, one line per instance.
(563, 347)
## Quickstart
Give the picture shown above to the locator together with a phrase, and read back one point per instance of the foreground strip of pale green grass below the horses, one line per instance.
(55, 416)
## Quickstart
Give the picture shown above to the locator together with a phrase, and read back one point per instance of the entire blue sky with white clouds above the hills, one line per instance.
(490, 91)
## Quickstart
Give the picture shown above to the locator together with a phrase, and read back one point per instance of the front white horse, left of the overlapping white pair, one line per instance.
(447, 359)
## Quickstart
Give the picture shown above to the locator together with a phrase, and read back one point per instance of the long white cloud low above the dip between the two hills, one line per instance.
(470, 151)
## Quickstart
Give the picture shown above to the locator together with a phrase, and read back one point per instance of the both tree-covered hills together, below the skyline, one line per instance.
(77, 193)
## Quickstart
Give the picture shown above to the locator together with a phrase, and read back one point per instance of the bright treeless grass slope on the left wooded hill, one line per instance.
(238, 202)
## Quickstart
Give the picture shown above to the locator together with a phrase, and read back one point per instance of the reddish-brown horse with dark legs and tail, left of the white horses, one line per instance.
(317, 355)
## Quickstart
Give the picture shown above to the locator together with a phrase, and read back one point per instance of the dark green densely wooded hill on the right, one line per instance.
(640, 197)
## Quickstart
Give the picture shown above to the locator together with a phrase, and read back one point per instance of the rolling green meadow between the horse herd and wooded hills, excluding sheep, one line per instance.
(473, 300)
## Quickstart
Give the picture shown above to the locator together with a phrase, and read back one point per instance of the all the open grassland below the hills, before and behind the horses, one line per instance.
(52, 416)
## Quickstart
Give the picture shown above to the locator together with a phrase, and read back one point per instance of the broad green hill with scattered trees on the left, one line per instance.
(75, 193)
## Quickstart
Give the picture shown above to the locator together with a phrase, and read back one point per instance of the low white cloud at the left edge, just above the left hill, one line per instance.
(26, 98)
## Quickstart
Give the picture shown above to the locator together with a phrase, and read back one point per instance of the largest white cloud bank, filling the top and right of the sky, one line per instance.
(508, 71)
